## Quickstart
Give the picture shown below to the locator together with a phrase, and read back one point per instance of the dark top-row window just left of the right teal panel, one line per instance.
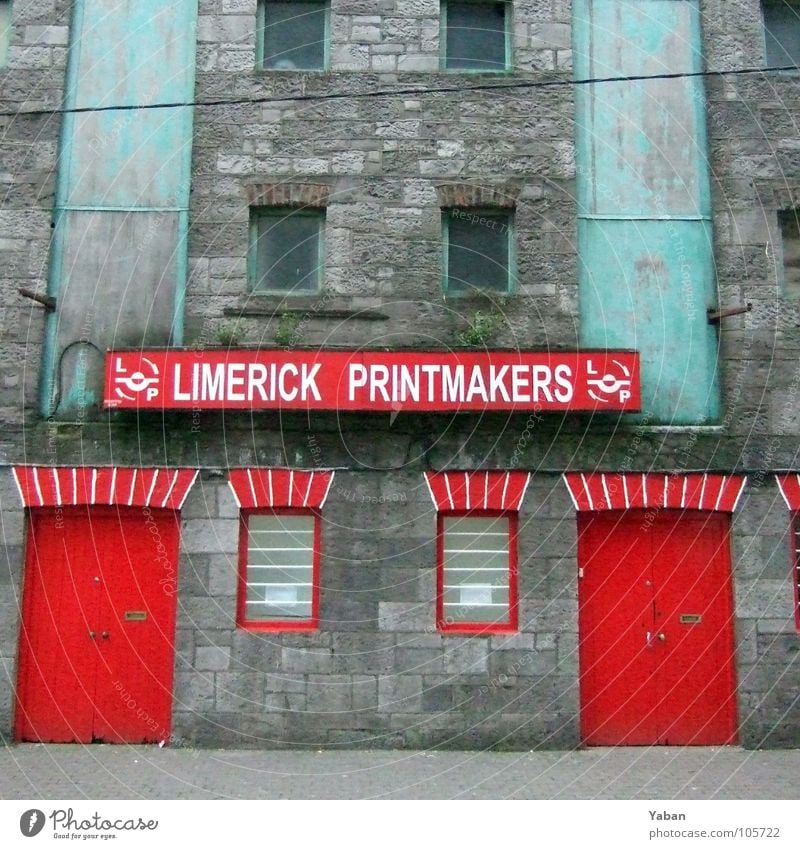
(475, 35)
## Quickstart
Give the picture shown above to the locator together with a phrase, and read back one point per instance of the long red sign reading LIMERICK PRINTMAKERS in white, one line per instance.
(435, 381)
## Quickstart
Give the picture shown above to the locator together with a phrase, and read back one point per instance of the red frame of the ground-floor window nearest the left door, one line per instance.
(311, 624)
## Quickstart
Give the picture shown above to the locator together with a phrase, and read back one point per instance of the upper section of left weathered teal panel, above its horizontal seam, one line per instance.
(130, 53)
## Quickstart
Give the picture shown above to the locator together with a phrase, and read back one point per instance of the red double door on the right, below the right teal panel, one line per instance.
(656, 629)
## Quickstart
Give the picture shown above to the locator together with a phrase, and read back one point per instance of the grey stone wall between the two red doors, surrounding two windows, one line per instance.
(377, 673)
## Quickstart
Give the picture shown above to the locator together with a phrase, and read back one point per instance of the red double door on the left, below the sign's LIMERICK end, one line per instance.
(97, 637)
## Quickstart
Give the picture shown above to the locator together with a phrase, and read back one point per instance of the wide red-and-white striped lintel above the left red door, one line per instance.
(61, 486)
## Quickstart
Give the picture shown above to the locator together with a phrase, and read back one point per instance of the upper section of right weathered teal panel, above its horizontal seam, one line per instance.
(641, 145)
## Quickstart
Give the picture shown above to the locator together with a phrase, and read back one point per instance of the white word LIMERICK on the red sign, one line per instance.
(245, 382)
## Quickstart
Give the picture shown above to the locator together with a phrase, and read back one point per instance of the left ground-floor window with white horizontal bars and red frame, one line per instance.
(280, 574)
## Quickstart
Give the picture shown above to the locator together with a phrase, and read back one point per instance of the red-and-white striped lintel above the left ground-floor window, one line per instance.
(280, 487)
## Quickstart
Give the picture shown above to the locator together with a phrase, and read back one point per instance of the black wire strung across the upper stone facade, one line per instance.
(453, 89)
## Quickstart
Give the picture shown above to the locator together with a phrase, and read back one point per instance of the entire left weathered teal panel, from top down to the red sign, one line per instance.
(119, 249)
